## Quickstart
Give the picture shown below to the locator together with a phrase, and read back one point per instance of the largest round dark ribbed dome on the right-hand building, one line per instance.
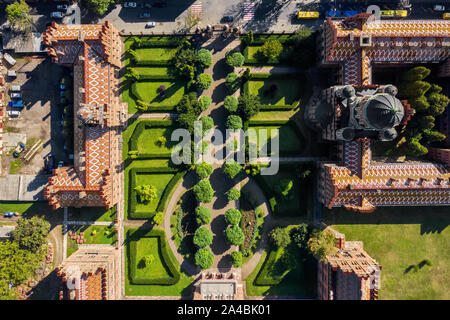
(383, 111)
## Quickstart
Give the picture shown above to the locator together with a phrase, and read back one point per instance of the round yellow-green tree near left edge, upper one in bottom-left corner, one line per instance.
(31, 233)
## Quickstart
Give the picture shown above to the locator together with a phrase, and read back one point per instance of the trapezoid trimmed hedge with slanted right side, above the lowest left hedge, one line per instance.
(162, 202)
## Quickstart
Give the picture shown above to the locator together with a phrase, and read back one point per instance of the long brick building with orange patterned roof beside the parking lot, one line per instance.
(94, 52)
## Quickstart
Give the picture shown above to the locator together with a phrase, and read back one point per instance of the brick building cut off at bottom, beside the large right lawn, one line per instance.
(349, 274)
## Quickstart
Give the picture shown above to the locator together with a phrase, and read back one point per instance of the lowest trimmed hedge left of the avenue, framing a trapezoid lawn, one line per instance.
(167, 260)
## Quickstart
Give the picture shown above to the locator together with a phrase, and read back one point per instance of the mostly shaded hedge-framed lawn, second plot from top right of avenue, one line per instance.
(288, 91)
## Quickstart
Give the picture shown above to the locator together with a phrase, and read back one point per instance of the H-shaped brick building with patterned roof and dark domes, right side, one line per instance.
(354, 115)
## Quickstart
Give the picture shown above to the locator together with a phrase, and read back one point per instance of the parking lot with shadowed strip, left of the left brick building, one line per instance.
(41, 115)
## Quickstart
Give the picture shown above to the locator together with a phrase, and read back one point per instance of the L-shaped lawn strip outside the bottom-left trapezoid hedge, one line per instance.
(181, 288)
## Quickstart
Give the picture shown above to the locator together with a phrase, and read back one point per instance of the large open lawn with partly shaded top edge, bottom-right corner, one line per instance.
(399, 238)
